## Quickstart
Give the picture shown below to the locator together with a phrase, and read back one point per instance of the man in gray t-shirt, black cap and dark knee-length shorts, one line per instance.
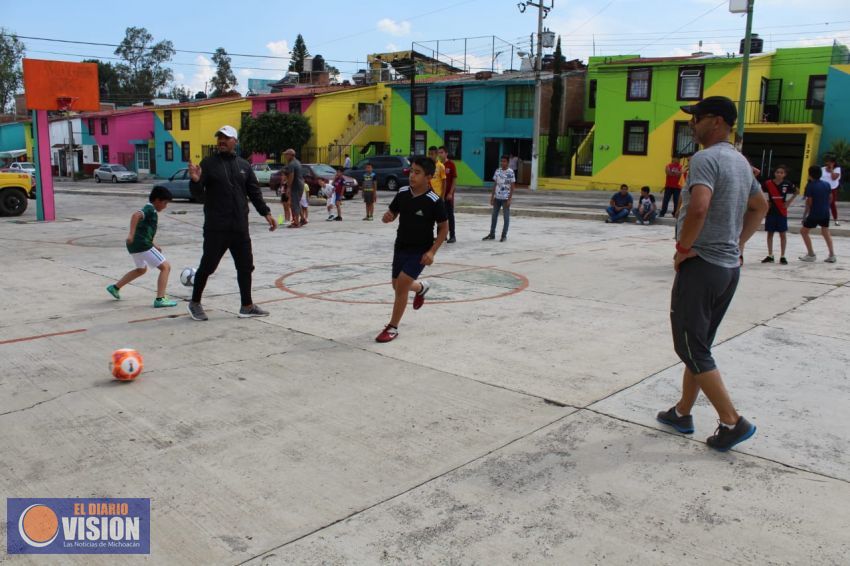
(723, 207)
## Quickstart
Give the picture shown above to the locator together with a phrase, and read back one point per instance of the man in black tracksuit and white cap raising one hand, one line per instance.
(224, 182)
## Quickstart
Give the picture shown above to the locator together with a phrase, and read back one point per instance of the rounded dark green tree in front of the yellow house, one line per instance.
(274, 132)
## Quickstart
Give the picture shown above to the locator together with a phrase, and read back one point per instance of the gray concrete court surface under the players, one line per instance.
(512, 421)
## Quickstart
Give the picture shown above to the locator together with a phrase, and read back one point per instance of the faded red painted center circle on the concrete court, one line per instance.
(520, 284)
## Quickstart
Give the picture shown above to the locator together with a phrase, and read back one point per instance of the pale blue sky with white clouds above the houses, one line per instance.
(344, 33)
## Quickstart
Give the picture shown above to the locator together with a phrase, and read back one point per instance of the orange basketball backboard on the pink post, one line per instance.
(59, 85)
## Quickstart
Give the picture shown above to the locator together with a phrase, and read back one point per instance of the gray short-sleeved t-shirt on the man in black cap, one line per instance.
(727, 173)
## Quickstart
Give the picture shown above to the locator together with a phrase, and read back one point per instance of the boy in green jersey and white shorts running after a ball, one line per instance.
(145, 253)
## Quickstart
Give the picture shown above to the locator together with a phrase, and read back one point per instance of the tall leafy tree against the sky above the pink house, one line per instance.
(142, 74)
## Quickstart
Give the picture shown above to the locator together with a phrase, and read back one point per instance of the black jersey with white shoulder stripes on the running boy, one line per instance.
(417, 216)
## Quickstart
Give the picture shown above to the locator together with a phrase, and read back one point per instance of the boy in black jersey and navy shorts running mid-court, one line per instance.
(418, 209)
